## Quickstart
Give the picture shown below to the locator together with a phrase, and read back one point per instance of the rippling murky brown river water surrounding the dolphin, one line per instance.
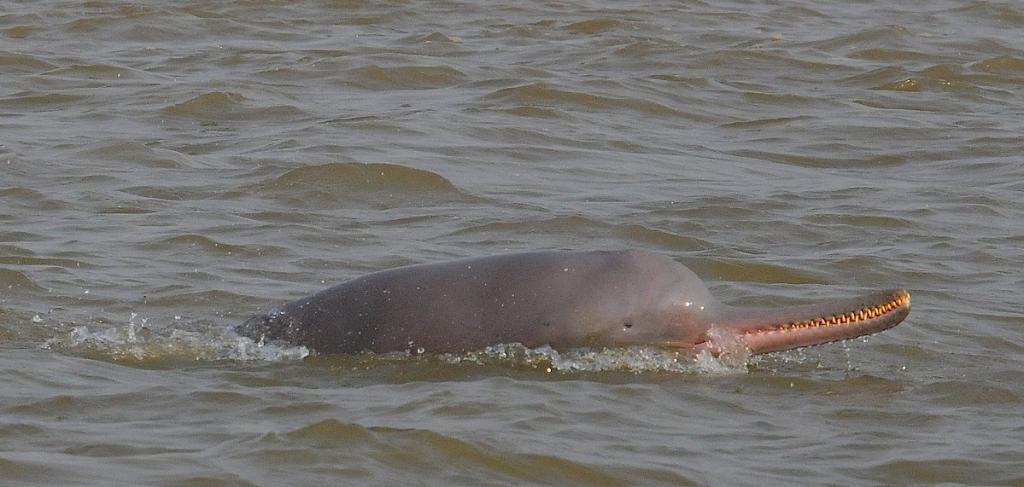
(169, 169)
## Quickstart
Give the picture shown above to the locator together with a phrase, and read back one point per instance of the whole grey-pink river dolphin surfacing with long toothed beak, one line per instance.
(562, 299)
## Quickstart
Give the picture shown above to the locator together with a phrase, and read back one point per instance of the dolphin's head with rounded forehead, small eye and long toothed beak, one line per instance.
(668, 305)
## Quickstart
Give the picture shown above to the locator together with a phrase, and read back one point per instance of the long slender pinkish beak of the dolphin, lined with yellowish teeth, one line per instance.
(773, 330)
